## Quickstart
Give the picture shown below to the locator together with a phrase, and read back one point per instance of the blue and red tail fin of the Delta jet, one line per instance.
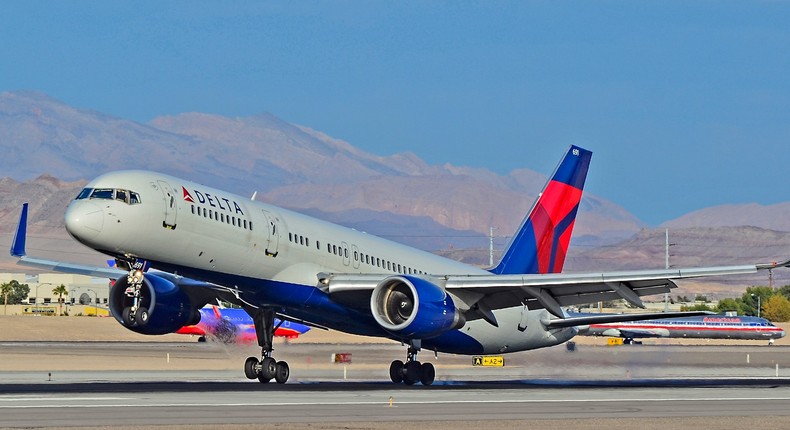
(541, 243)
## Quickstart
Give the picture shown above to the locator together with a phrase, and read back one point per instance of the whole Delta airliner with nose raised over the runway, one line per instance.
(182, 245)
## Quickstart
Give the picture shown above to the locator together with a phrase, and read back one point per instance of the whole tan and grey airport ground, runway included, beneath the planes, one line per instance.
(89, 372)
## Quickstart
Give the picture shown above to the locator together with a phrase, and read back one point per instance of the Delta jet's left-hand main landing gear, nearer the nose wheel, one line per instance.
(267, 368)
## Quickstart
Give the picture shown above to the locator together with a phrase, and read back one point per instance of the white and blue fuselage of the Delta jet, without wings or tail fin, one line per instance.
(272, 256)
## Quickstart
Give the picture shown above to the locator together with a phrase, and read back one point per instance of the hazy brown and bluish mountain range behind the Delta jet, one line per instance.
(51, 149)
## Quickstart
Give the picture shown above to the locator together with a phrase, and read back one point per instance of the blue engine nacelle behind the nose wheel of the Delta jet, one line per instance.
(168, 307)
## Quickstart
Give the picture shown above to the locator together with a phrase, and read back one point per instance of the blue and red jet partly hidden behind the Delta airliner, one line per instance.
(235, 326)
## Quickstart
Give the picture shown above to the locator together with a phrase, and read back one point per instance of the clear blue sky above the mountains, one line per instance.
(684, 104)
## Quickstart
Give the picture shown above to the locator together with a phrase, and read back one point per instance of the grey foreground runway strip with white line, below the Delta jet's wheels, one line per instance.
(350, 403)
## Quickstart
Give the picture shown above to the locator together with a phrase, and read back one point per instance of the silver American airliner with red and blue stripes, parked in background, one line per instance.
(699, 327)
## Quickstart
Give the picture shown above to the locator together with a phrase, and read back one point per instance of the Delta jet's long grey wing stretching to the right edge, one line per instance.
(549, 291)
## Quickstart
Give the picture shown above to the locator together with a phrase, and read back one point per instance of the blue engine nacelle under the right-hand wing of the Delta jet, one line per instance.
(414, 308)
